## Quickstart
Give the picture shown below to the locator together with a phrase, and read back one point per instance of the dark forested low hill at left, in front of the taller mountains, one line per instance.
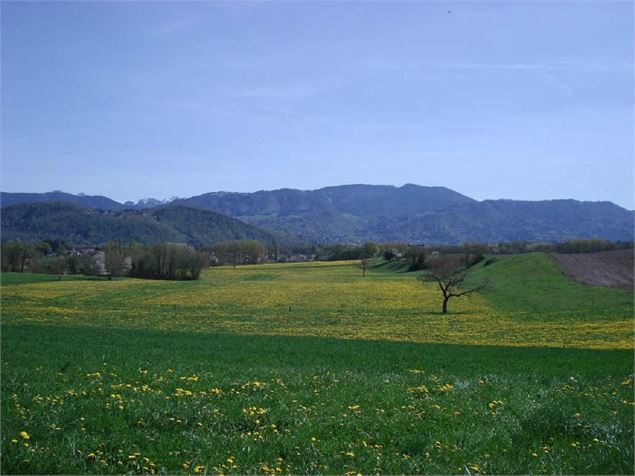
(84, 226)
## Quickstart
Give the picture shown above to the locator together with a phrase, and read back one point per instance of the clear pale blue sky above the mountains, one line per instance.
(523, 100)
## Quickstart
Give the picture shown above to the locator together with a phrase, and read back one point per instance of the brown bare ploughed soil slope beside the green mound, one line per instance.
(609, 268)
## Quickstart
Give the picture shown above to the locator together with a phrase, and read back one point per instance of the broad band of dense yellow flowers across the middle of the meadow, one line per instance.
(323, 300)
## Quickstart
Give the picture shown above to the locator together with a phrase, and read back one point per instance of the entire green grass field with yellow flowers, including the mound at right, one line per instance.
(310, 368)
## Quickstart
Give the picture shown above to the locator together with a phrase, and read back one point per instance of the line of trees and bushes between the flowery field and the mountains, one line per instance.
(179, 261)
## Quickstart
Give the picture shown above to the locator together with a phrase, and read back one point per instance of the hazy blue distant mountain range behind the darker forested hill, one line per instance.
(358, 213)
